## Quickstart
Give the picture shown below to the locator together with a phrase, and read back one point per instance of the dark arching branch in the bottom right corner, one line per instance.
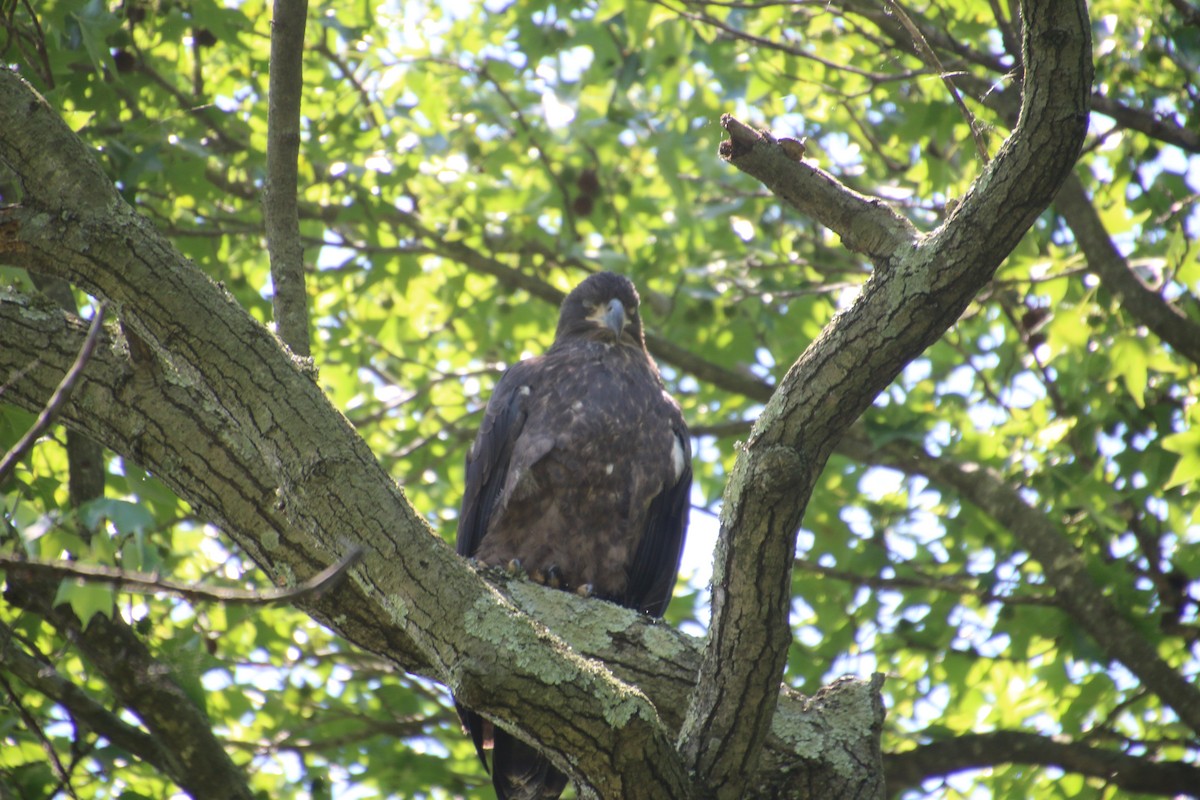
(1131, 774)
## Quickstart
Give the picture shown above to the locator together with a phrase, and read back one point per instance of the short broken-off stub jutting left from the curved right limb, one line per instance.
(866, 225)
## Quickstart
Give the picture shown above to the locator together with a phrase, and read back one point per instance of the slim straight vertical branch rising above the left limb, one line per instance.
(280, 212)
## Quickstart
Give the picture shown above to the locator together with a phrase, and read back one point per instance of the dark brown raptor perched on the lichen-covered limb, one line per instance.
(579, 478)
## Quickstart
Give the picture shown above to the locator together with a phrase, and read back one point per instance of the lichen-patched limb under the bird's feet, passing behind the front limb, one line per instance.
(133, 410)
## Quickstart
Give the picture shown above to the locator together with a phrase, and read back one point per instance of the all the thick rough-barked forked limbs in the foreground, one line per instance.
(196, 392)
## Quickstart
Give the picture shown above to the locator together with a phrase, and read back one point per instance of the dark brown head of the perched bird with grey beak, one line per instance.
(603, 308)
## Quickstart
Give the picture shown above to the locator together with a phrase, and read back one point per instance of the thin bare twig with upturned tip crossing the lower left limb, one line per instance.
(145, 584)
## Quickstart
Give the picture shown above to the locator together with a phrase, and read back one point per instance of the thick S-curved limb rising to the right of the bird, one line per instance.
(914, 297)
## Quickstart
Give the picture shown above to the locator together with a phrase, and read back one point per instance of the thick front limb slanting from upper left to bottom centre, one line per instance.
(603, 732)
